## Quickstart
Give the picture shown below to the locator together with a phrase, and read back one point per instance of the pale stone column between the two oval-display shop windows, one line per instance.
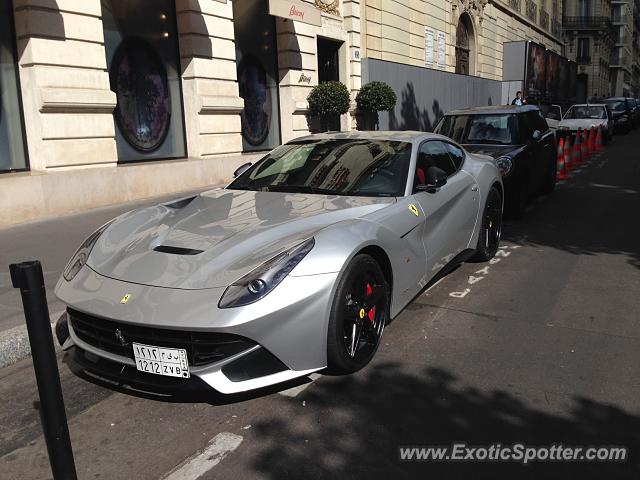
(212, 103)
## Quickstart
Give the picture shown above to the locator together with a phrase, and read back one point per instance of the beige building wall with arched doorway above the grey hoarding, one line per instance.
(457, 36)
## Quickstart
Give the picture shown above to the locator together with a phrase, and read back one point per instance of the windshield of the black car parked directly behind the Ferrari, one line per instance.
(494, 129)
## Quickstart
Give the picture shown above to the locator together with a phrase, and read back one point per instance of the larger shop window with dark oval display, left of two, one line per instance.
(141, 45)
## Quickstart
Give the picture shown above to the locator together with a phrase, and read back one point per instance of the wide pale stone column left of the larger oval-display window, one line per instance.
(67, 101)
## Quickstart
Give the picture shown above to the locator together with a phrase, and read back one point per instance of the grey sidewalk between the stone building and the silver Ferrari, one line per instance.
(51, 241)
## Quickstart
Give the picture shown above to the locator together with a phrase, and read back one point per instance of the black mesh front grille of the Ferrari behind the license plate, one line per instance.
(202, 347)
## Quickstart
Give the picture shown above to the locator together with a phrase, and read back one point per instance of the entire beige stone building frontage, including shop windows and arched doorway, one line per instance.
(105, 101)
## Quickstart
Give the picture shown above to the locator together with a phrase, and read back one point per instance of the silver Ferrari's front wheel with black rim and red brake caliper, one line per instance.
(359, 313)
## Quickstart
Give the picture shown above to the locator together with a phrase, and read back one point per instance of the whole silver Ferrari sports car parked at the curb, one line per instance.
(294, 267)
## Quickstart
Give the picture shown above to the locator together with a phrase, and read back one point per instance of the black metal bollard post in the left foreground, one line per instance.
(27, 276)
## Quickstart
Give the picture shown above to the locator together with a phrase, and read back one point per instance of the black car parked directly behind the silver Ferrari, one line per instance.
(519, 140)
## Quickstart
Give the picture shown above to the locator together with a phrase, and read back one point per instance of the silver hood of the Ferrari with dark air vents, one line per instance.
(213, 239)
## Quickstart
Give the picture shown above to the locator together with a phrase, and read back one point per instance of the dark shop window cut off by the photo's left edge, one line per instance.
(12, 148)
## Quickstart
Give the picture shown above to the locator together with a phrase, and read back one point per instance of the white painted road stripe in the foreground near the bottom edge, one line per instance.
(197, 465)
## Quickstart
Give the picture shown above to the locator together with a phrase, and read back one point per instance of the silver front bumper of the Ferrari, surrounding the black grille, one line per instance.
(285, 331)
